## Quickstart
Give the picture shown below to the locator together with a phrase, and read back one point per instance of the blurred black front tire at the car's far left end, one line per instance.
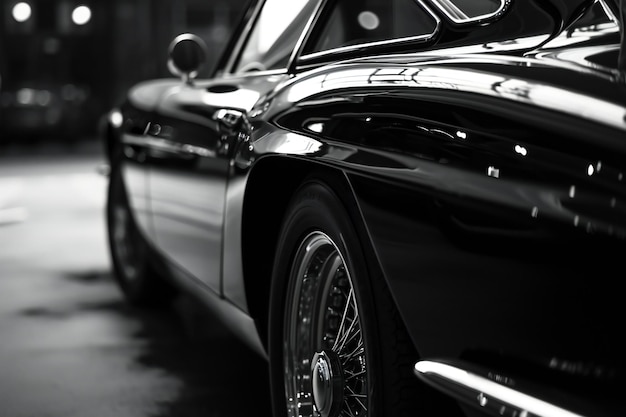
(138, 280)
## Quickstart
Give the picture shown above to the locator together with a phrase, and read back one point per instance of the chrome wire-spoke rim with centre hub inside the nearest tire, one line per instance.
(324, 352)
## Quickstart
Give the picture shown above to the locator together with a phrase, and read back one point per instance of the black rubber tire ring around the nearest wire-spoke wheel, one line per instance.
(317, 208)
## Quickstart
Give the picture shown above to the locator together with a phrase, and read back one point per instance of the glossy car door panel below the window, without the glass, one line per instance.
(190, 168)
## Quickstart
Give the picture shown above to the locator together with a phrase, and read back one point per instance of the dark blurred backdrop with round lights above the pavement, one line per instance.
(64, 63)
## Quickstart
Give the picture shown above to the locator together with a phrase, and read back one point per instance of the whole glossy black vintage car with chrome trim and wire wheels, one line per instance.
(409, 207)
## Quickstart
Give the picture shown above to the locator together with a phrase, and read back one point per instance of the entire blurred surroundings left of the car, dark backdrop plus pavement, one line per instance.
(69, 346)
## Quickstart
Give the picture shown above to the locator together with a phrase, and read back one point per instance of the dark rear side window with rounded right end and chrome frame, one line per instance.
(358, 22)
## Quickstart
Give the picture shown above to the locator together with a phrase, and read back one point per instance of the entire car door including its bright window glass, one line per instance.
(194, 132)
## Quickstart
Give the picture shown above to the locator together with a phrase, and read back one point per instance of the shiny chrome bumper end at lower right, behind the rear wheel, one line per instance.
(487, 394)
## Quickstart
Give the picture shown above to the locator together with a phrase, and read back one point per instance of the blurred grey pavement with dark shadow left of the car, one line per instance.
(69, 346)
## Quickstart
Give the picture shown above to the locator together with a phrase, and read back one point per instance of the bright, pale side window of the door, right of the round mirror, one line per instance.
(275, 34)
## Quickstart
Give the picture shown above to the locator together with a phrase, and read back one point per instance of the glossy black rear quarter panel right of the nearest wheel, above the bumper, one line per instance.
(497, 219)
